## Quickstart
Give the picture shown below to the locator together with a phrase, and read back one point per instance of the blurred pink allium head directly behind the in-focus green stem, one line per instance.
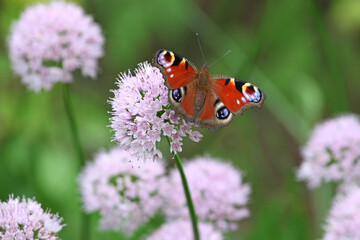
(217, 190)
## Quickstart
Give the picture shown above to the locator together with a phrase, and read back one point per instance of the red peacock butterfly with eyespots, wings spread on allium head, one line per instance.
(207, 100)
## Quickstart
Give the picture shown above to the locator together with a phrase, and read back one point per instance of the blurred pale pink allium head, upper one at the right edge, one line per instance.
(333, 151)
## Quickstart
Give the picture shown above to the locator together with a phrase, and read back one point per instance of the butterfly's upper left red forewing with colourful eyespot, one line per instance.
(177, 71)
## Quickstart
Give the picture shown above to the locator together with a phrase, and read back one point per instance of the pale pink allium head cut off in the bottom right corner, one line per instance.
(344, 219)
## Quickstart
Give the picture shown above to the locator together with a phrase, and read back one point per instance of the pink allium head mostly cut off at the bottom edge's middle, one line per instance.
(182, 230)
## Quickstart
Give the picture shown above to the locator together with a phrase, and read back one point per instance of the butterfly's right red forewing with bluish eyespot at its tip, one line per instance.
(237, 95)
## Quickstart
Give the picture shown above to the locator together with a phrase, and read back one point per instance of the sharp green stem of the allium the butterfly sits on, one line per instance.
(187, 194)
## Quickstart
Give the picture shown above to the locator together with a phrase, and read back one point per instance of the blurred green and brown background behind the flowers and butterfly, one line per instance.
(304, 54)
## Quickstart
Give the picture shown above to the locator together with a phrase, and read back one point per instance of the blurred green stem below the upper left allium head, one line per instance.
(85, 231)
